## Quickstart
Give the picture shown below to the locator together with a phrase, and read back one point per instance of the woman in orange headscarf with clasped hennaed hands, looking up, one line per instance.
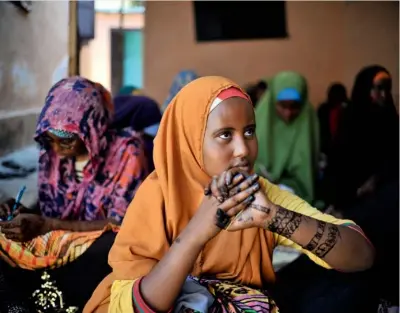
(200, 233)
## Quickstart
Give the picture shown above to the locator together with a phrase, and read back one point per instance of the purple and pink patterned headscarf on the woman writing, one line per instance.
(116, 164)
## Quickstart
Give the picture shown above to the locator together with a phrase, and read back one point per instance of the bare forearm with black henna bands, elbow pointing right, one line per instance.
(341, 247)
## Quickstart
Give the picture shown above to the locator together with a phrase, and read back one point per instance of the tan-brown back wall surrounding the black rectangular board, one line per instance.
(328, 41)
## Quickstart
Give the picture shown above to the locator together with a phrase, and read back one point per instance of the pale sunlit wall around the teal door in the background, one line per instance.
(95, 62)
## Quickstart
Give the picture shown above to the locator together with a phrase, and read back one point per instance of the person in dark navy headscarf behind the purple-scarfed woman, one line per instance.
(143, 115)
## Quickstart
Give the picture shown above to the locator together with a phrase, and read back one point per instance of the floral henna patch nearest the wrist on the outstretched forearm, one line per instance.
(285, 222)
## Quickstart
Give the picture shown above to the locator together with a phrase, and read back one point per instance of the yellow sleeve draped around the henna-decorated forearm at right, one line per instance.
(291, 202)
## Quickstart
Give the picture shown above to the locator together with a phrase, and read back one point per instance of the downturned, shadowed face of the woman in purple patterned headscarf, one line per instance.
(71, 147)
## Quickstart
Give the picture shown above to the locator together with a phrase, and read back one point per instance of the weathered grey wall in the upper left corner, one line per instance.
(33, 55)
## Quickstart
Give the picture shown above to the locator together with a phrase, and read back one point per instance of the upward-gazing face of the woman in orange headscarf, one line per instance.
(230, 139)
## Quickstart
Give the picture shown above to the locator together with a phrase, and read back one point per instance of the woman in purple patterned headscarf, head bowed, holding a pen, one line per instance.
(88, 174)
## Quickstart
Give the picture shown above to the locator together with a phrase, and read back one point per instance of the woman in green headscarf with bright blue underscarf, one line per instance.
(287, 132)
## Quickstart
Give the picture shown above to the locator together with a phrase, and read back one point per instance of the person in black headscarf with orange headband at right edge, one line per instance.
(364, 157)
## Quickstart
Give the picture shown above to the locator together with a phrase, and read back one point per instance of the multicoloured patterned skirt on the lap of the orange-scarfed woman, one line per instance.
(233, 298)
